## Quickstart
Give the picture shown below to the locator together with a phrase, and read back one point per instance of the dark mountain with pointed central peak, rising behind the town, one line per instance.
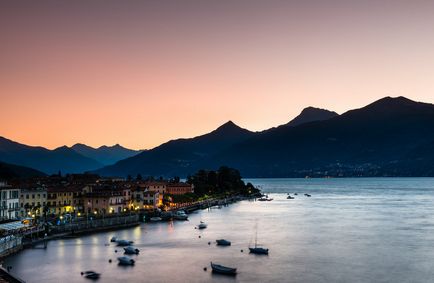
(181, 156)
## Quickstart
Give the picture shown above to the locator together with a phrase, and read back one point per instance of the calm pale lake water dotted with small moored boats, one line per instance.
(350, 230)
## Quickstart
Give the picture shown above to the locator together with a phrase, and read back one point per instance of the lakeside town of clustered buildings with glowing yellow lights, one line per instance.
(78, 195)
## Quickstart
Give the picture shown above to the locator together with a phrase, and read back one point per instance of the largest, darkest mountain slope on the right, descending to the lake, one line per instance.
(390, 137)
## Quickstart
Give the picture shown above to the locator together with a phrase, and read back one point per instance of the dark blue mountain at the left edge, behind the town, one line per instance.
(48, 161)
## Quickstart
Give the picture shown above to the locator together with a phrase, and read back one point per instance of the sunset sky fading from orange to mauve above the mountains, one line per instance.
(140, 73)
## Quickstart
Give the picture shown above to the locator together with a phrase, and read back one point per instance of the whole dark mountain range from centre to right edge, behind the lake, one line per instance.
(390, 137)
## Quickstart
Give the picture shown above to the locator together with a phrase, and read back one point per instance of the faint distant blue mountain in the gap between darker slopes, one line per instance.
(105, 155)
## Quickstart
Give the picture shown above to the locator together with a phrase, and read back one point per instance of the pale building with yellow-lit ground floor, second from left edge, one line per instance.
(33, 201)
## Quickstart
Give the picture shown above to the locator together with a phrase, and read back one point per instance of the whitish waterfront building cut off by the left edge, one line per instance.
(9, 201)
